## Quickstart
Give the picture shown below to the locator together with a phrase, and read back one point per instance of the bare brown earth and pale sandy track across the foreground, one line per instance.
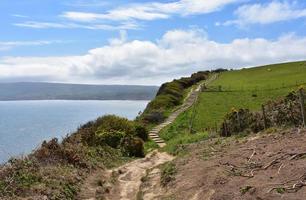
(265, 166)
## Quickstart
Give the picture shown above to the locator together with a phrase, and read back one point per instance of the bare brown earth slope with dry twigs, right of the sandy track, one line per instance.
(260, 167)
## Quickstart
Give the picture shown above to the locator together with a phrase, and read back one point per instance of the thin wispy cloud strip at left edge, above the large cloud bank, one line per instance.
(12, 44)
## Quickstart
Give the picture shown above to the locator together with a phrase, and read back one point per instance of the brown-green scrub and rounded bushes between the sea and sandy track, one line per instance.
(55, 170)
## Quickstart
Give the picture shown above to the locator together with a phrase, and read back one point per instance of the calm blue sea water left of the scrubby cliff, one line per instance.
(25, 124)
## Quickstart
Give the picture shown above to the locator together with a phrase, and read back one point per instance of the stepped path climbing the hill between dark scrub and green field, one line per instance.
(189, 101)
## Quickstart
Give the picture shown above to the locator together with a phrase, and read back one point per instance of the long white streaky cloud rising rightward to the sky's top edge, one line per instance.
(152, 11)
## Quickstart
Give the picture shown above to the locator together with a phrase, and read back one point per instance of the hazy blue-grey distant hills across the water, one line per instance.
(59, 91)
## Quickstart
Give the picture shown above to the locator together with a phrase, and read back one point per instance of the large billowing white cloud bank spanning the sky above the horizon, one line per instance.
(177, 53)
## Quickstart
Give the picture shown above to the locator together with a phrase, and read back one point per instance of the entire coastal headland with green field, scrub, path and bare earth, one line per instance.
(196, 162)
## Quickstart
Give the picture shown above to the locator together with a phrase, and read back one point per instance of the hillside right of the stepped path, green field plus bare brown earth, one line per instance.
(269, 164)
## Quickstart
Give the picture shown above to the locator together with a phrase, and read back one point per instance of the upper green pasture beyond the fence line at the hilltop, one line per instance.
(266, 77)
